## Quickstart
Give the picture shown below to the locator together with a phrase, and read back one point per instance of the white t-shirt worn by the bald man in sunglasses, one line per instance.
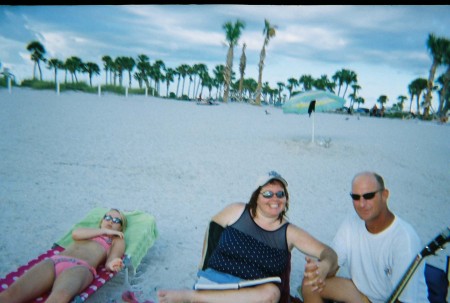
(377, 262)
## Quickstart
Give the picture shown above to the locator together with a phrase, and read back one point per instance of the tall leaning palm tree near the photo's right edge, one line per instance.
(437, 47)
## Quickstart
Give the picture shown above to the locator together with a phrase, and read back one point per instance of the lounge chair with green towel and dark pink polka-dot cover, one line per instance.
(140, 236)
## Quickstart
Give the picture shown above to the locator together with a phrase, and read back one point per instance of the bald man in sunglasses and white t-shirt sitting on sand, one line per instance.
(375, 247)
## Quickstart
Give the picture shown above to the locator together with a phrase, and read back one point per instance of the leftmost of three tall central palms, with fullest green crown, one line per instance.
(233, 33)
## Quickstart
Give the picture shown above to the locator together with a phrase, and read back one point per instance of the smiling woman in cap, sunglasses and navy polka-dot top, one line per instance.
(256, 242)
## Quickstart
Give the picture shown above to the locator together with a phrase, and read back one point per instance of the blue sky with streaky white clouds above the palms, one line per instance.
(385, 45)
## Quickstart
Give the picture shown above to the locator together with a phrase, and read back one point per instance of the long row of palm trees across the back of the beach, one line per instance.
(223, 78)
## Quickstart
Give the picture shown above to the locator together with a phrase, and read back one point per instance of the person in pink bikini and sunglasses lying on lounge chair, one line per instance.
(70, 272)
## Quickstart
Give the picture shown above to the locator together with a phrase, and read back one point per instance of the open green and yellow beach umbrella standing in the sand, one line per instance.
(312, 101)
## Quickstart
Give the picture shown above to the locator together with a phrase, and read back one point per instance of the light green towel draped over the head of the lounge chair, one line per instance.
(140, 235)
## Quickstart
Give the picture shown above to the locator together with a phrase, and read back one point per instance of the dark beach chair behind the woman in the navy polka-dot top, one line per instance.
(212, 239)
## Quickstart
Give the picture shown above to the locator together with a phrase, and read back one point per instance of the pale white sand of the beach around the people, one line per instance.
(63, 155)
